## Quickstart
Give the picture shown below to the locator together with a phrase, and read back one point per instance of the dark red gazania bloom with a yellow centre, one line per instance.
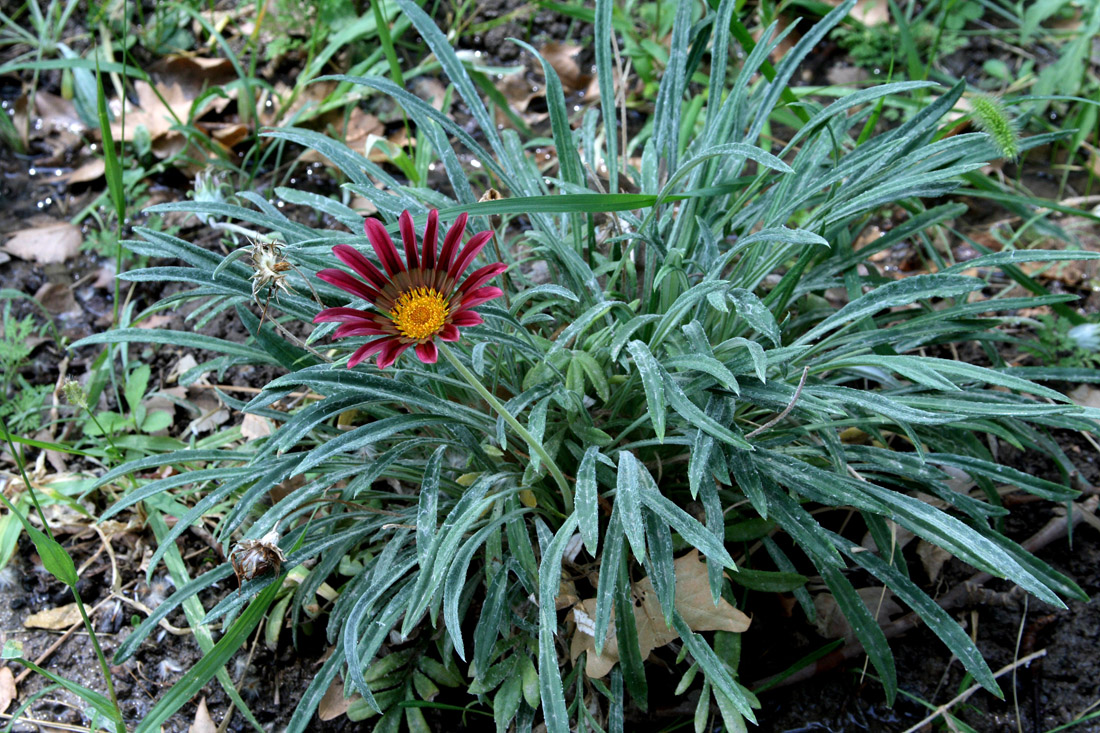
(416, 301)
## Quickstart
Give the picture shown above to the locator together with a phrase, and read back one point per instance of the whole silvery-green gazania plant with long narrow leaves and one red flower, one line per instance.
(676, 380)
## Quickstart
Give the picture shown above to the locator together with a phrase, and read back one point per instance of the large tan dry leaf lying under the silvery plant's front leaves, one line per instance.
(692, 600)
